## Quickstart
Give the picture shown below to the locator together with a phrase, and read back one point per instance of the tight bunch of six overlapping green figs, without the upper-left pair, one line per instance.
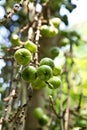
(45, 75)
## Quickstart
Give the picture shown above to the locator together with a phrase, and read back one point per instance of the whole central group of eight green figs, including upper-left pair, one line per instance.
(46, 74)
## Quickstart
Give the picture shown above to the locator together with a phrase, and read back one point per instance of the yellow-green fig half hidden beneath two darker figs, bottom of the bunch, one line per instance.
(38, 84)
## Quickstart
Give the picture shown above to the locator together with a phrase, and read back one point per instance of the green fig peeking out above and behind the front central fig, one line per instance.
(47, 61)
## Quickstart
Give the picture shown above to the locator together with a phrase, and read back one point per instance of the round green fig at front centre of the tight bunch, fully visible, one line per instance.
(44, 72)
